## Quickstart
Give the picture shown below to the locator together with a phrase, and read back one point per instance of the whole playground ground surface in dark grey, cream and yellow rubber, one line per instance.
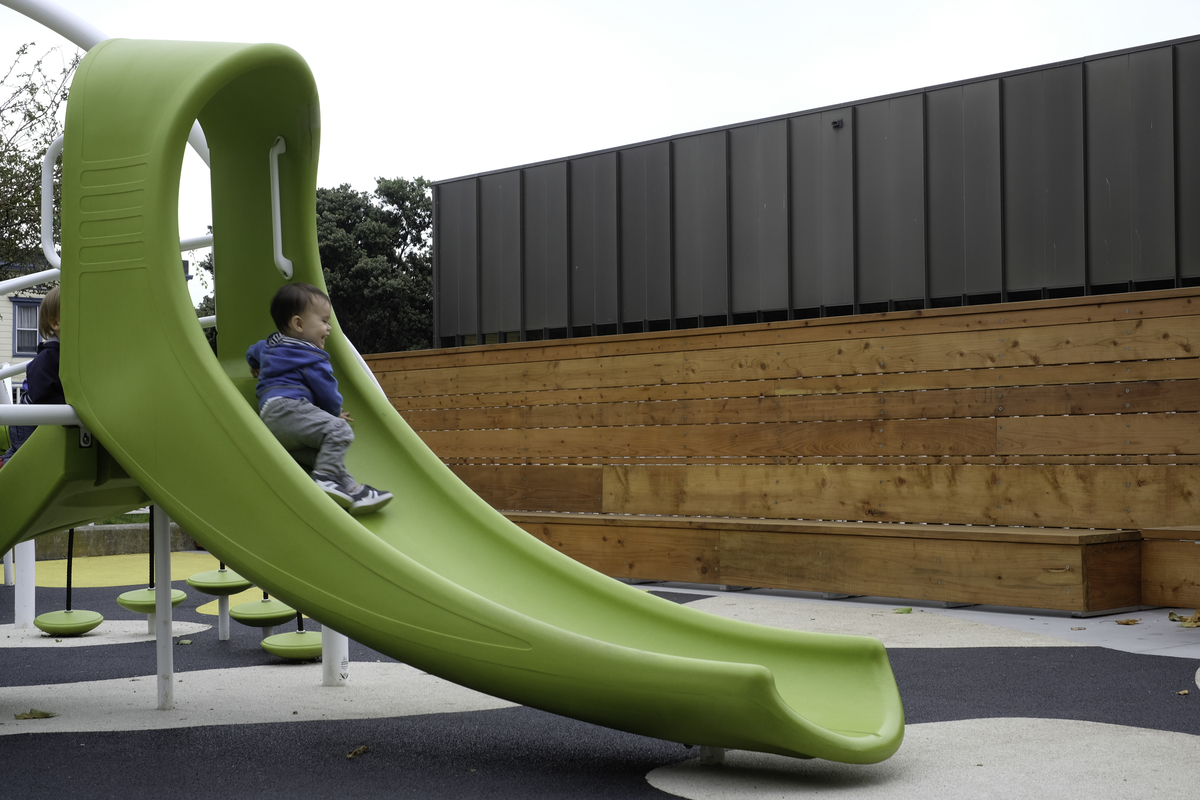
(998, 703)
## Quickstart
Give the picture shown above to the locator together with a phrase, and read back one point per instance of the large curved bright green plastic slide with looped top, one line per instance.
(439, 579)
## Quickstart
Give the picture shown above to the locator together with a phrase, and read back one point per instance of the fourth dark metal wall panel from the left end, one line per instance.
(595, 240)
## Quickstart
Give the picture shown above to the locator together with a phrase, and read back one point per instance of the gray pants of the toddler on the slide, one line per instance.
(315, 438)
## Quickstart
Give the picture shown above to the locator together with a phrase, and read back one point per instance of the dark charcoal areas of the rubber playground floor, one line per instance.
(515, 753)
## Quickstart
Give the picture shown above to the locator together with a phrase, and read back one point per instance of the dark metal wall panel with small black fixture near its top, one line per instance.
(824, 209)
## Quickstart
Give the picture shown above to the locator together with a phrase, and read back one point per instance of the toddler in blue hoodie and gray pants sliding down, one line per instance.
(298, 396)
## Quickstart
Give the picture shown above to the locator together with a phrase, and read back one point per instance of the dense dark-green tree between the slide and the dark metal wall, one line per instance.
(377, 254)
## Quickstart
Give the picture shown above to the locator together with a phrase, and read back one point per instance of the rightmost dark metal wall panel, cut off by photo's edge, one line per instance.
(1187, 171)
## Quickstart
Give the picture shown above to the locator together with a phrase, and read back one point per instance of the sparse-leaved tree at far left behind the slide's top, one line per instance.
(32, 101)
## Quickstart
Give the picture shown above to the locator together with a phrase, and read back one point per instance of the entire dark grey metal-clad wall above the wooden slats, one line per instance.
(1072, 179)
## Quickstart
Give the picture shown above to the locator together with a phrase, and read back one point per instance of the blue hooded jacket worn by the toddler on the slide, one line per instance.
(290, 368)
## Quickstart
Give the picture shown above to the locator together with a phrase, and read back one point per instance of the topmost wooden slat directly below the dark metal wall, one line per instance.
(1144, 305)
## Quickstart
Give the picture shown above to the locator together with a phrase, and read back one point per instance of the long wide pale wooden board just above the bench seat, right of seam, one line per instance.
(1046, 496)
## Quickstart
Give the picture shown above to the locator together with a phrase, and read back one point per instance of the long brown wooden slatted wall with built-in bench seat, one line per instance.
(842, 455)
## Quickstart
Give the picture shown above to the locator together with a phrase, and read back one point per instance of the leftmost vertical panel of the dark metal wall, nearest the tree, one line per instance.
(458, 254)
